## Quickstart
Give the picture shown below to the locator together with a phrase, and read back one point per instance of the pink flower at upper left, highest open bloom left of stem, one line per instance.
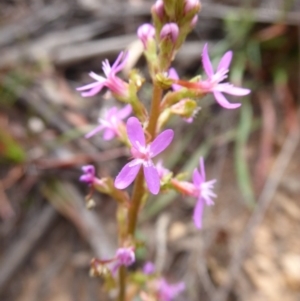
(112, 82)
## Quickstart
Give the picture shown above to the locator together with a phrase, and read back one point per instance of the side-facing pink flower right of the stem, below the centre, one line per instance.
(203, 192)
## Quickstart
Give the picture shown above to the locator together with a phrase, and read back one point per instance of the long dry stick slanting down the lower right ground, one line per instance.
(263, 203)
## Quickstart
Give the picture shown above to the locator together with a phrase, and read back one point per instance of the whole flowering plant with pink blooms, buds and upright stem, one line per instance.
(146, 134)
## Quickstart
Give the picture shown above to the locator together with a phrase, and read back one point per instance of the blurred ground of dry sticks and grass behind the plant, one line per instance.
(249, 247)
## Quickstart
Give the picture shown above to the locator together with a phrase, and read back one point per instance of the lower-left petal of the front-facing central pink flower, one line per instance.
(127, 174)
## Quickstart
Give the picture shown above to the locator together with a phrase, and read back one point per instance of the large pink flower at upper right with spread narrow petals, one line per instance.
(213, 83)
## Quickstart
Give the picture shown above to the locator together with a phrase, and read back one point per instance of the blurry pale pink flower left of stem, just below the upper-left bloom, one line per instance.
(111, 123)
